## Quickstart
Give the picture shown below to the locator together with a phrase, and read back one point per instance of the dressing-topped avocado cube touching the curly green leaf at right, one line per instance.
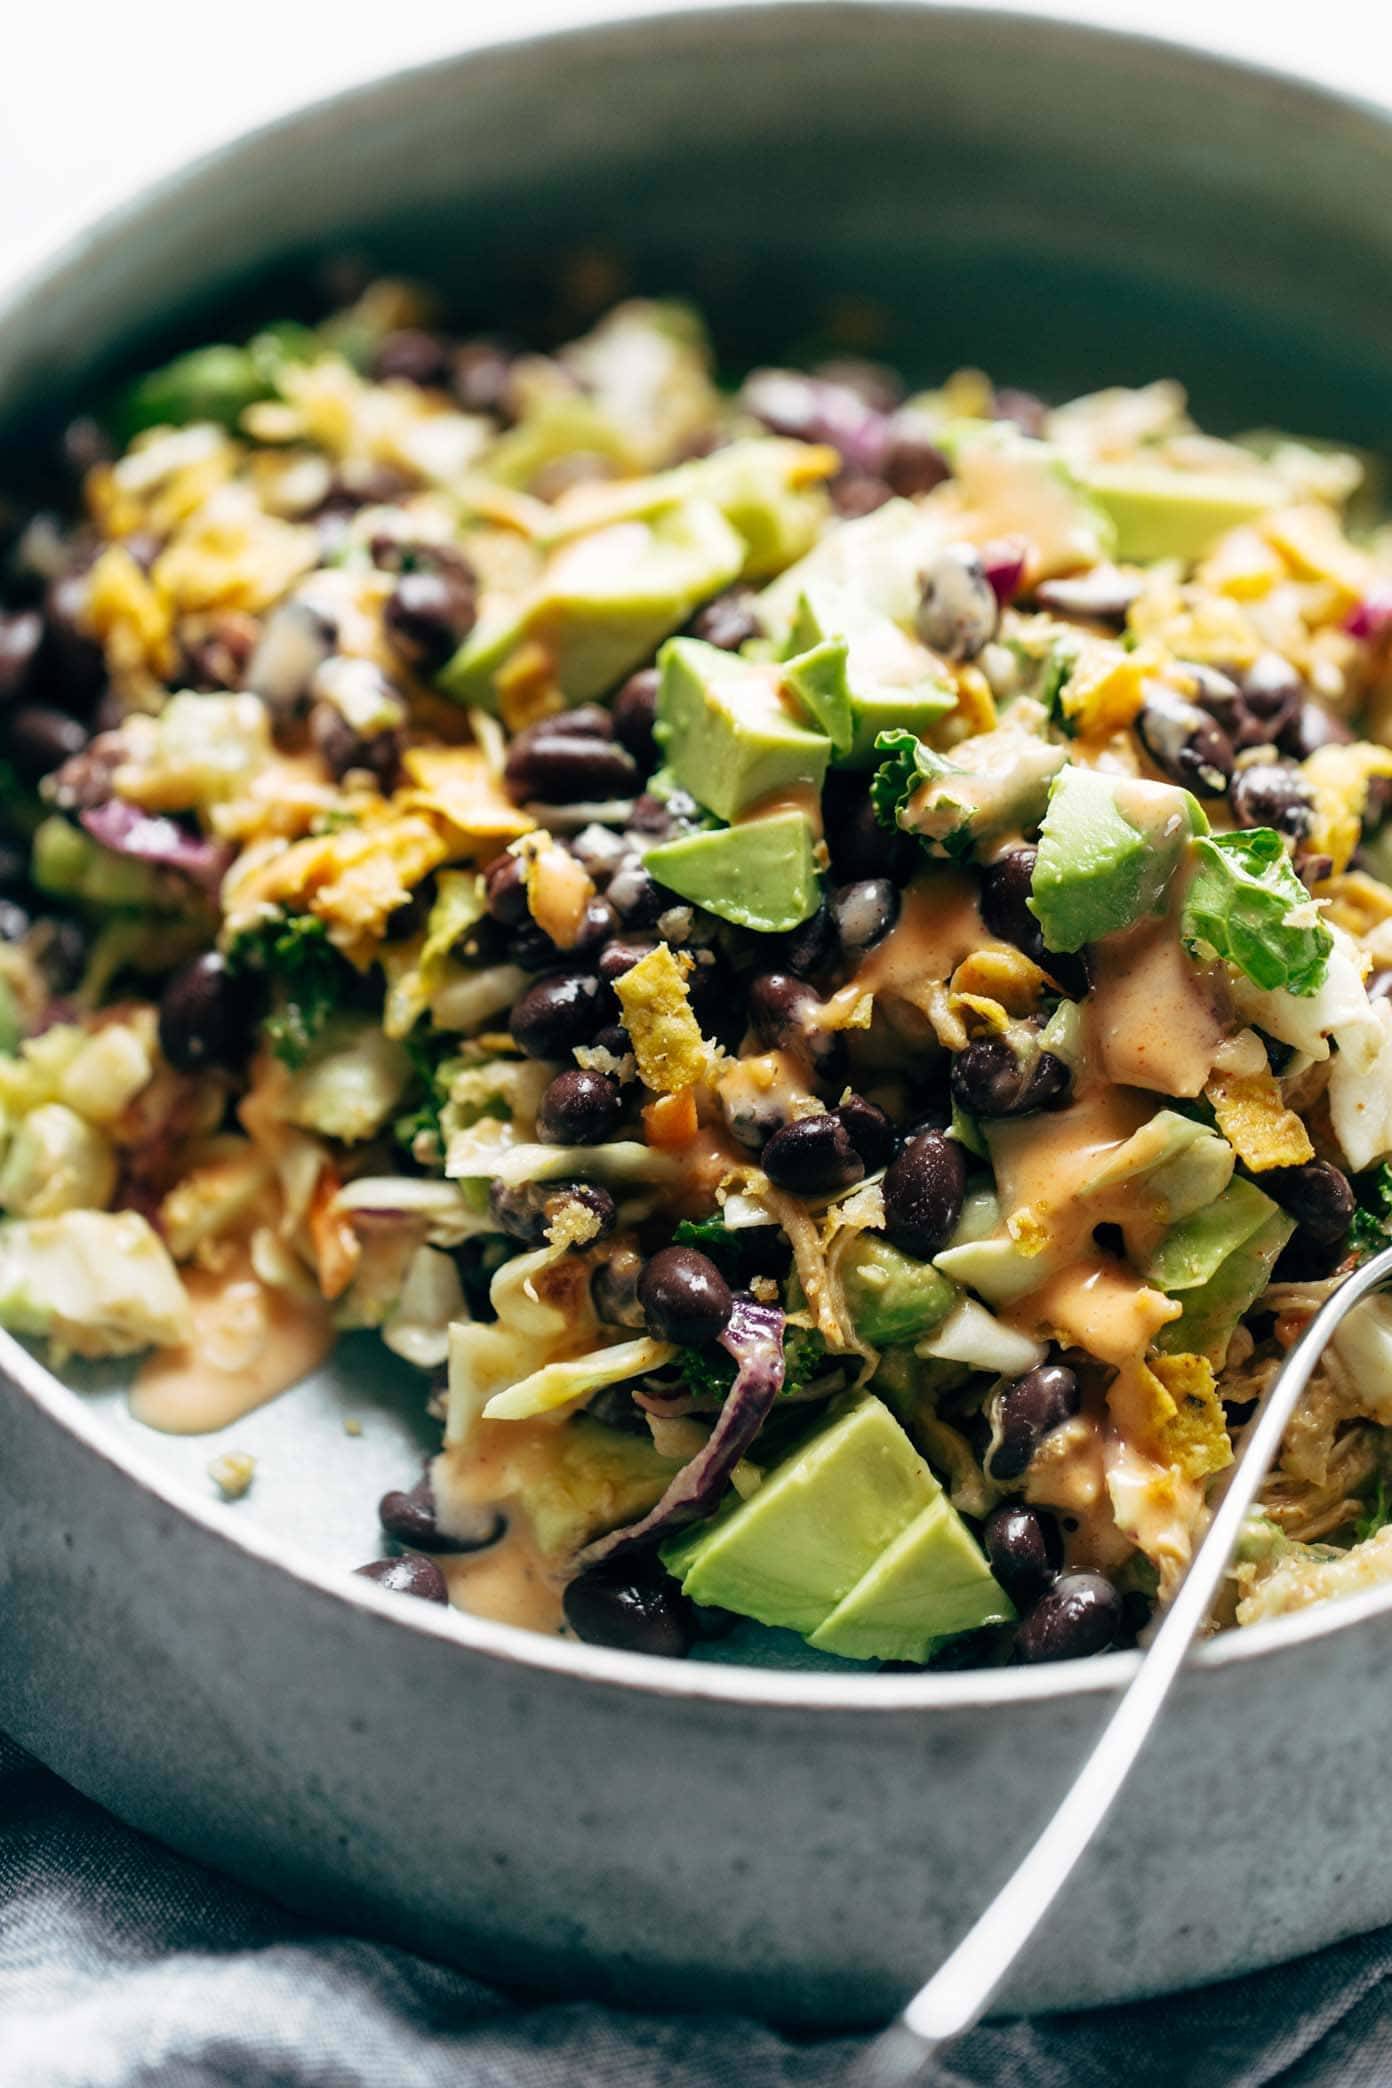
(1107, 853)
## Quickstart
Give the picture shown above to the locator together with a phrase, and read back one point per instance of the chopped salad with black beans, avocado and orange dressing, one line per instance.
(817, 957)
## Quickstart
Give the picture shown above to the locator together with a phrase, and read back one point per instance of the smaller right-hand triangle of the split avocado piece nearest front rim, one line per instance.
(932, 1584)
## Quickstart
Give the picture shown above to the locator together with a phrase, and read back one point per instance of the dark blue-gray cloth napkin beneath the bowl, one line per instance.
(126, 1968)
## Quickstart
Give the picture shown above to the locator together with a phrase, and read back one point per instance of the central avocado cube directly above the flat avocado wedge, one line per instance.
(727, 732)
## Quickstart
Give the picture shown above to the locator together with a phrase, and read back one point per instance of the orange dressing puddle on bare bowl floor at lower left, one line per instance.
(249, 1344)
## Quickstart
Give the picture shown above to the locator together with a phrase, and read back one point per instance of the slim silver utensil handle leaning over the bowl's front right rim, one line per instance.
(963, 1987)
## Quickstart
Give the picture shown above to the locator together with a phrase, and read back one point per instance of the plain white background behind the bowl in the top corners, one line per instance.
(93, 99)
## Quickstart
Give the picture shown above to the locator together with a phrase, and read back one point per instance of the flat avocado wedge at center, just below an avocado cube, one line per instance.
(761, 874)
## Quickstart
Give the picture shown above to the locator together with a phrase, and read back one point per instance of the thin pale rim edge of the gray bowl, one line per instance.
(62, 250)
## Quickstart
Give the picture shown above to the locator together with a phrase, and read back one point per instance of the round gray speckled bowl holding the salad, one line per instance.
(1065, 208)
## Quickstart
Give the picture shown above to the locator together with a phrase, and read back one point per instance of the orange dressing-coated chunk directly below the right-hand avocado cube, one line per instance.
(1153, 1018)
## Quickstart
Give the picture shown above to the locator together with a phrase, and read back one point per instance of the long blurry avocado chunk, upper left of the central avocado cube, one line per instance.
(604, 604)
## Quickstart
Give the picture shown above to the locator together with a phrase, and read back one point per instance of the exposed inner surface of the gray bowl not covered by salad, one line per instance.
(928, 185)
